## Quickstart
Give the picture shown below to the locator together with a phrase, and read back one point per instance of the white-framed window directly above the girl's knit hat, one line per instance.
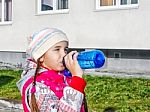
(52, 6)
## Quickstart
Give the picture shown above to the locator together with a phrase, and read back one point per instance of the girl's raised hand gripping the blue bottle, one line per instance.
(72, 64)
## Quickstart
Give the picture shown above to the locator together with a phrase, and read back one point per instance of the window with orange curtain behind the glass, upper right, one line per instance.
(116, 4)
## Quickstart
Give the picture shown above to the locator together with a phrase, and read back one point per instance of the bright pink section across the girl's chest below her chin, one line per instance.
(56, 81)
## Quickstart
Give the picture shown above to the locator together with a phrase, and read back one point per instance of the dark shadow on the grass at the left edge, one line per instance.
(5, 80)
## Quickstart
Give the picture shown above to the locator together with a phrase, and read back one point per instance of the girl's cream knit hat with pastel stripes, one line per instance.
(44, 39)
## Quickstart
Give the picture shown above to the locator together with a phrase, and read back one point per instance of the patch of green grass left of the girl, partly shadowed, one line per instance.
(8, 88)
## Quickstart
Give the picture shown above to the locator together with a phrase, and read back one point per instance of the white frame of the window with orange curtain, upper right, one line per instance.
(116, 7)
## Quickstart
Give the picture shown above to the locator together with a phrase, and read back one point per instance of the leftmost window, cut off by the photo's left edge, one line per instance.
(5, 11)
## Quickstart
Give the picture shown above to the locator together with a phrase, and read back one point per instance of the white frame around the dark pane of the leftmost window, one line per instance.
(3, 22)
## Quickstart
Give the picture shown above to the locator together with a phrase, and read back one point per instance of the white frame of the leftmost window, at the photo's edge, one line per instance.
(2, 22)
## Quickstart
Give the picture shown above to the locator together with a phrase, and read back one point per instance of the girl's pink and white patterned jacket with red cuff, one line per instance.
(54, 91)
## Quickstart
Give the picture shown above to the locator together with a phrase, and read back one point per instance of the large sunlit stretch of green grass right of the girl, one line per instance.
(126, 95)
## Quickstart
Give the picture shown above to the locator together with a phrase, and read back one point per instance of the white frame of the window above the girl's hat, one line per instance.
(54, 11)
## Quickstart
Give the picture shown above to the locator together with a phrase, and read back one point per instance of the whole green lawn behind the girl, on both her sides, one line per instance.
(125, 95)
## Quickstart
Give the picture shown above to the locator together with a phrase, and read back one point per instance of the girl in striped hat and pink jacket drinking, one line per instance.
(43, 86)
